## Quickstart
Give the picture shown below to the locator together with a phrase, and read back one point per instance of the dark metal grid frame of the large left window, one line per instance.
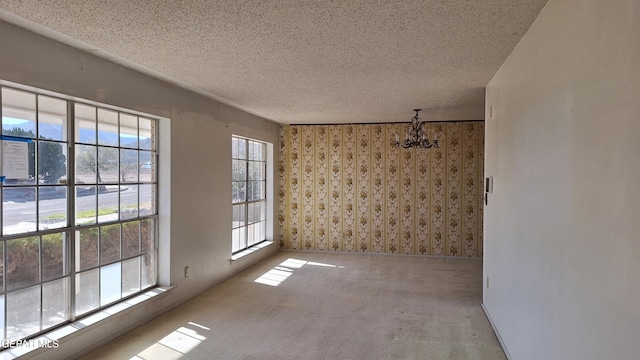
(70, 232)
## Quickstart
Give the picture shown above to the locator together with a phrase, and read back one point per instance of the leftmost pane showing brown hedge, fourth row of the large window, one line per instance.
(23, 262)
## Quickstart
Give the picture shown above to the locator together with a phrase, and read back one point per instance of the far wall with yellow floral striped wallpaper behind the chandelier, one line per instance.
(345, 188)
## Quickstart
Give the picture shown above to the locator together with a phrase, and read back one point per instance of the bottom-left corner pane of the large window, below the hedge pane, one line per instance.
(23, 308)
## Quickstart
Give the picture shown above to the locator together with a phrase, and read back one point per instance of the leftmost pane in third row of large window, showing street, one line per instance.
(18, 210)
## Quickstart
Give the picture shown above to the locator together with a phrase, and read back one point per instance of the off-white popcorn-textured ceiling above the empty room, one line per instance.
(295, 61)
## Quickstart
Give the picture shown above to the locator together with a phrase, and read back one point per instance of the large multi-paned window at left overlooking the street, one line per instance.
(78, 230)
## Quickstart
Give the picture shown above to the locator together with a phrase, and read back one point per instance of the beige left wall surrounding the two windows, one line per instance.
(195, 164)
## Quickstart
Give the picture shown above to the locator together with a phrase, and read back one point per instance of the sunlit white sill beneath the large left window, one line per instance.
(55, 338)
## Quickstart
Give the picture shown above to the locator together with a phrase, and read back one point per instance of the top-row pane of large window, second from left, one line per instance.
(52, 118)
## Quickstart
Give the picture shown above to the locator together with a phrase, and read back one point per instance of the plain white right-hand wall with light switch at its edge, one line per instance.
(562, 228)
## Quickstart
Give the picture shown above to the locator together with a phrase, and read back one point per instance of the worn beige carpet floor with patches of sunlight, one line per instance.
(315, 305)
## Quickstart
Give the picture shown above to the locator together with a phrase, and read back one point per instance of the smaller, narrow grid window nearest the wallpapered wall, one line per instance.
(249, 198)
